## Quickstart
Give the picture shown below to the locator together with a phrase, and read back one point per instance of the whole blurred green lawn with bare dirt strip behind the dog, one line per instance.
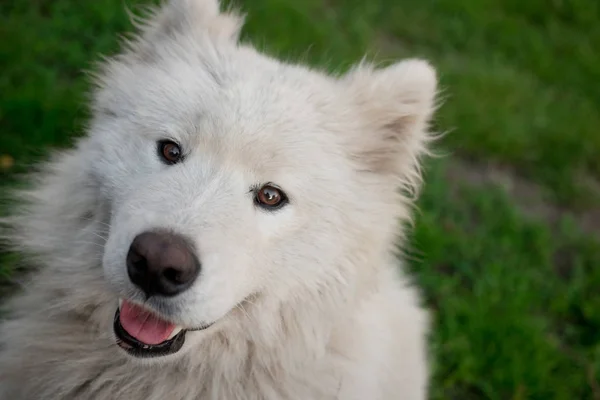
(507, 241)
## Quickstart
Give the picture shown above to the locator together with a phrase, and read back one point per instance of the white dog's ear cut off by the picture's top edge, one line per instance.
(202, 17)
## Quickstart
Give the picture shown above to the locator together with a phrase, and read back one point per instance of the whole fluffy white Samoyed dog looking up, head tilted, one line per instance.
(226, 229)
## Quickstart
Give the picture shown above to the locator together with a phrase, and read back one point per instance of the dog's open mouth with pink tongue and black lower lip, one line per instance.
(144, 334)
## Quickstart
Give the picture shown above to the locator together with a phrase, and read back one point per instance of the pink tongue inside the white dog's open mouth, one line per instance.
(143, 325)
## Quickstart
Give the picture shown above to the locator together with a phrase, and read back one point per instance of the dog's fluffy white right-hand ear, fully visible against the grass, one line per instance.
(394, 106)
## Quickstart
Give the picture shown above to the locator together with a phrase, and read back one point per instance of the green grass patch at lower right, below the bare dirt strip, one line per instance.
(516, 302)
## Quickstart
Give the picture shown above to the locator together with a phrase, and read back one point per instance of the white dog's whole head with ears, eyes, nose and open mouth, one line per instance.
(229, 175)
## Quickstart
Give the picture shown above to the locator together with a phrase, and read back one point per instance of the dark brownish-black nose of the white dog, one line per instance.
(162, 263)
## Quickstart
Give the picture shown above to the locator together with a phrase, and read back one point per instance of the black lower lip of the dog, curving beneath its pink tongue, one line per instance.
(142, 350)
